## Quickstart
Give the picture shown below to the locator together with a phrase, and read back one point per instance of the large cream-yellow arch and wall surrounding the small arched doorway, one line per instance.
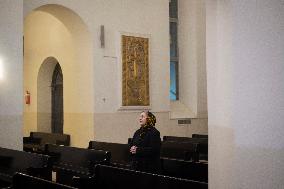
(56, 31)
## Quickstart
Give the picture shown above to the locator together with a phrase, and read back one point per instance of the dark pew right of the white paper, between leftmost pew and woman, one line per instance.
(71, 161)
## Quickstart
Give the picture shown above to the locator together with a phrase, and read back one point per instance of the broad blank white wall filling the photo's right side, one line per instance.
(245, 93)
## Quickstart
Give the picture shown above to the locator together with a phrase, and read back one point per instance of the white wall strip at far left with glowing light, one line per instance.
(11, 73)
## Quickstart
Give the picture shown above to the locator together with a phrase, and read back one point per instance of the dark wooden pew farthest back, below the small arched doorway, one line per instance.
(36, 141)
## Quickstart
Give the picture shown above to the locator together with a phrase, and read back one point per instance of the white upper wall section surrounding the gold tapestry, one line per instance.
(136, 18)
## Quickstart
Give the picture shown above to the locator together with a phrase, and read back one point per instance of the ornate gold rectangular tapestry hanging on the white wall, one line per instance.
(135, 71)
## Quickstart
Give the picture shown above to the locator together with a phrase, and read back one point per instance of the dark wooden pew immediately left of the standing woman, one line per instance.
(119, 152)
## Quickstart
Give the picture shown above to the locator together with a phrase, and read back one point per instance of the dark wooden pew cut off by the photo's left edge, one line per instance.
(12, 161)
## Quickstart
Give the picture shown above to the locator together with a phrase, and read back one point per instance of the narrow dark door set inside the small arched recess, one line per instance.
(57, 100)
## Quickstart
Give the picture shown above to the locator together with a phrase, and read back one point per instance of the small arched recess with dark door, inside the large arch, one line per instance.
(50, 97)
